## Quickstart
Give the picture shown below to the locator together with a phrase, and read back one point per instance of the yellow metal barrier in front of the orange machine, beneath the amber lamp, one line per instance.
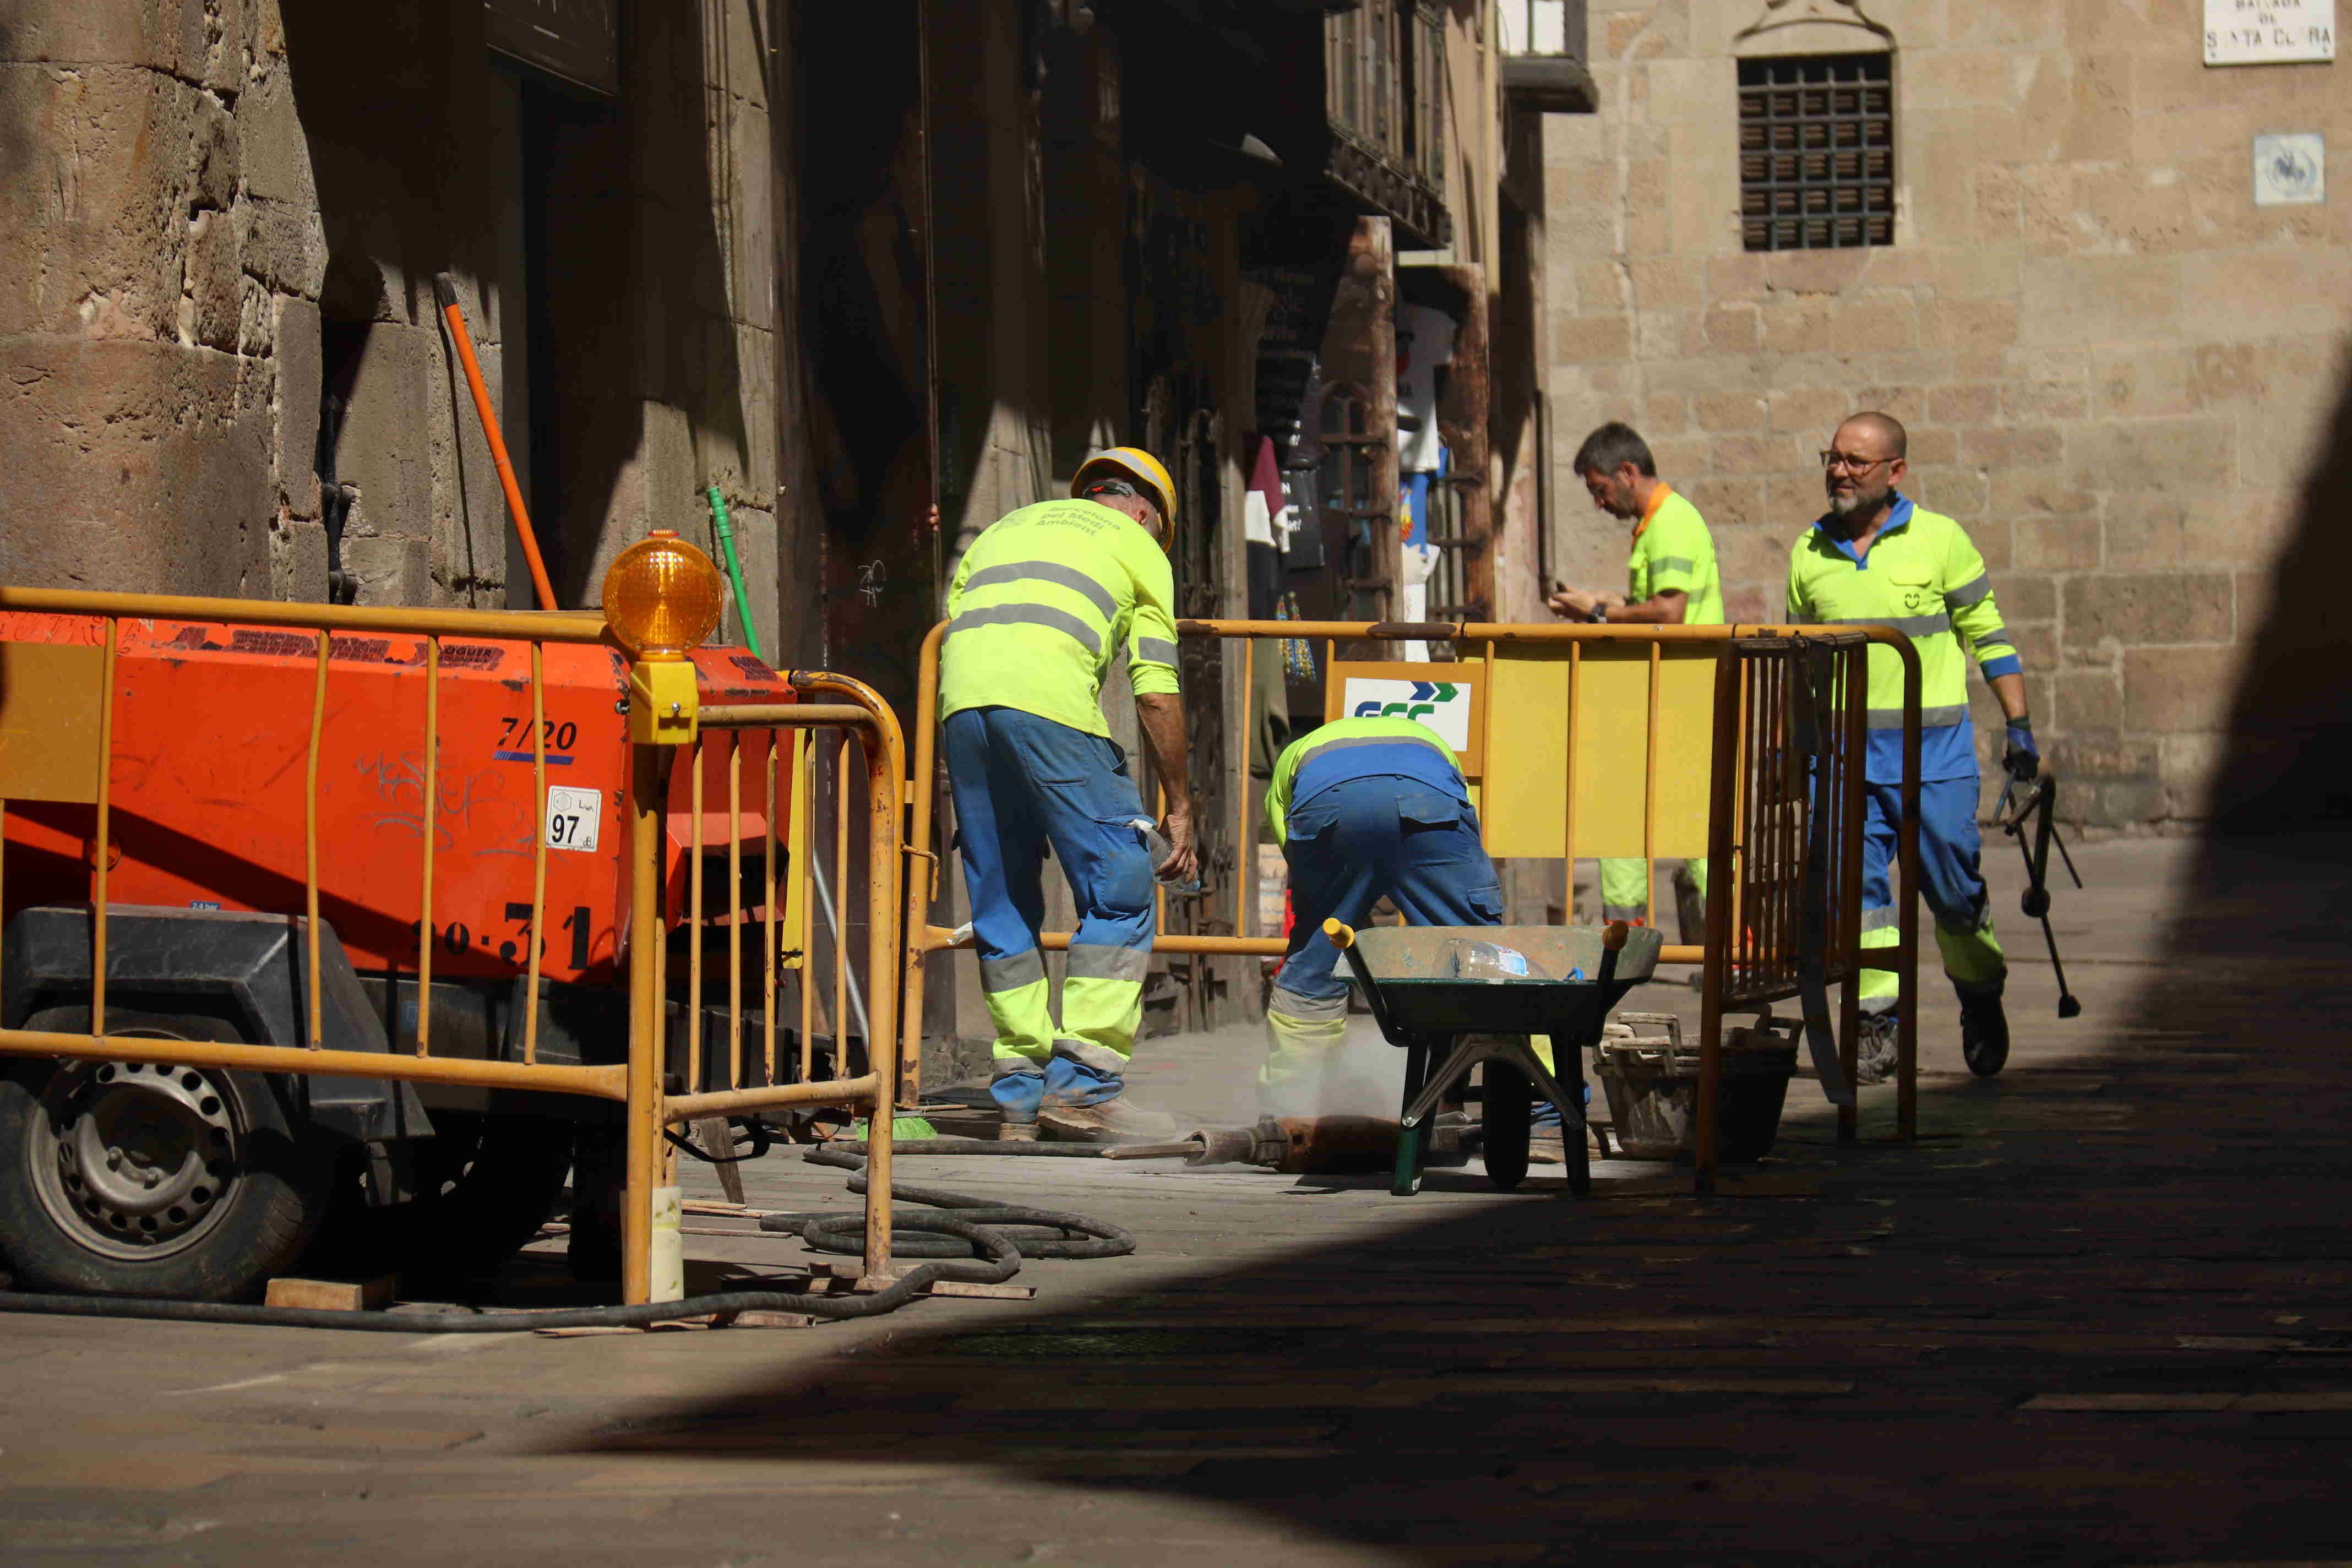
(636, 1083)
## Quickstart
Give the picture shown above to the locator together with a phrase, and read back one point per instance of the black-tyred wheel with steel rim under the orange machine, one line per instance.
(133, 1179)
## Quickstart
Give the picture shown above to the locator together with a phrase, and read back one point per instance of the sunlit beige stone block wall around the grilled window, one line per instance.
(2116, 368)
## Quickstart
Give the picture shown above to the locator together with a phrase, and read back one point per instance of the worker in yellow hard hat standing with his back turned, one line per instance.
(1041, 605)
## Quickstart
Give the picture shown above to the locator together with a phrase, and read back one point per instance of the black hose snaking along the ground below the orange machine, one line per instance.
(994, 1261)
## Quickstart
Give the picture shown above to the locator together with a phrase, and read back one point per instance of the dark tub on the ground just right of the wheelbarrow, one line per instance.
(1652, 1085)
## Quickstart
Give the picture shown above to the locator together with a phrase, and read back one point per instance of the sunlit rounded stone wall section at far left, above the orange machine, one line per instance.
(159, 243)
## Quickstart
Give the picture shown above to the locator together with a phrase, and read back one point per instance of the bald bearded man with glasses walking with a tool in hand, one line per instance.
(1876, 558)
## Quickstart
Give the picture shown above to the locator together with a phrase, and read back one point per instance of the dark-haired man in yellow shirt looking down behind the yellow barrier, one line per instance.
(1671, 579)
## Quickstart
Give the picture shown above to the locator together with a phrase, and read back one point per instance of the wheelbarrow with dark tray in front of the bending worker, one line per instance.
(1424, 1007)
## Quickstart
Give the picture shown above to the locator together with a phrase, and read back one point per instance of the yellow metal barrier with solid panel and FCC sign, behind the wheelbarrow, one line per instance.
(1584, 704)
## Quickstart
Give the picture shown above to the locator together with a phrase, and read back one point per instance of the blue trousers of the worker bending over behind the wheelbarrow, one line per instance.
(1379, 836)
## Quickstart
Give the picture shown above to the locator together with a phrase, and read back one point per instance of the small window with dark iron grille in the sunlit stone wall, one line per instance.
(1817, 152)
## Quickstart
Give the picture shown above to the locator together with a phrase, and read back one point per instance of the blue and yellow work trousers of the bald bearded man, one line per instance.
(1949, 878)
